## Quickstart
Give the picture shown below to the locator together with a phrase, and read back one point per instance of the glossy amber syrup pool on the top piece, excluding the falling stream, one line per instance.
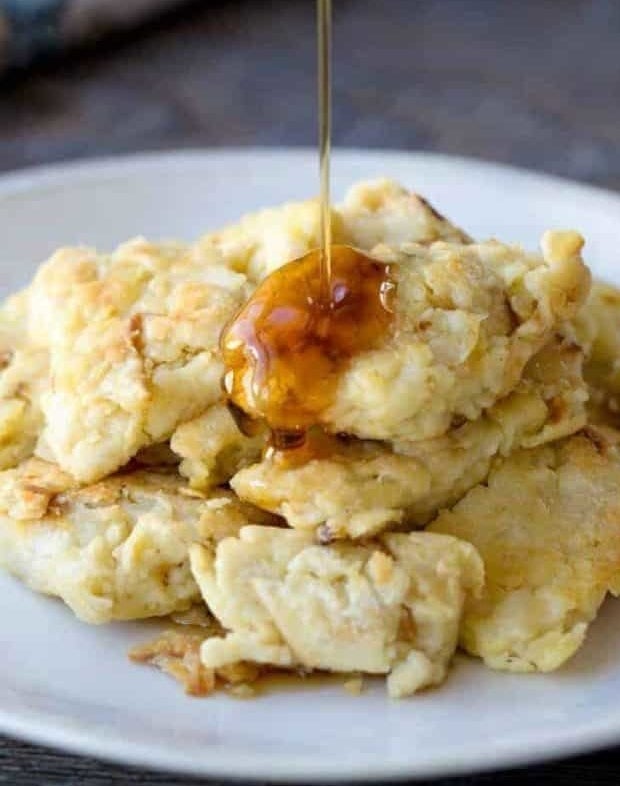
(287, 348)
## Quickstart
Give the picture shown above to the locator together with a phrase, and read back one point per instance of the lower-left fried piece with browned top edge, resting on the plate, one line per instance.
(114, 550)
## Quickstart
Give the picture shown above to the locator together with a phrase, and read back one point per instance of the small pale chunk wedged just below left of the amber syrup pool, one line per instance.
(213, 449)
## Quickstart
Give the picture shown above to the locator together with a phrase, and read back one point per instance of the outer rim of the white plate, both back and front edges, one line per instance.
(41, 727)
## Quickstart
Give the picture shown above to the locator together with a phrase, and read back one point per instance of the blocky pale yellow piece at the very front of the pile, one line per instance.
(390, 607)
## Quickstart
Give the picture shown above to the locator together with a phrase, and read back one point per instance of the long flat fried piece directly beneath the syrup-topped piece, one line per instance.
(370, 486)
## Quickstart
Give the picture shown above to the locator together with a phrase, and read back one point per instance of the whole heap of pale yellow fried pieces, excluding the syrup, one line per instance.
(475, 501)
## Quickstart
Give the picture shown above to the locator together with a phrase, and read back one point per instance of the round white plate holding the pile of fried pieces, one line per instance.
(70, 685)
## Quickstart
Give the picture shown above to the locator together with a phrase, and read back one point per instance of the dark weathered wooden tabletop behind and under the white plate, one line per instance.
(529, 82)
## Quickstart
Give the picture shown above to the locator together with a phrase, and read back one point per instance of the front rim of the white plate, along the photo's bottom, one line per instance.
(43, 729)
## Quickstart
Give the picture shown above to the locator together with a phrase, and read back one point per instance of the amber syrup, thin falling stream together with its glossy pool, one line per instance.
(287, 348)
